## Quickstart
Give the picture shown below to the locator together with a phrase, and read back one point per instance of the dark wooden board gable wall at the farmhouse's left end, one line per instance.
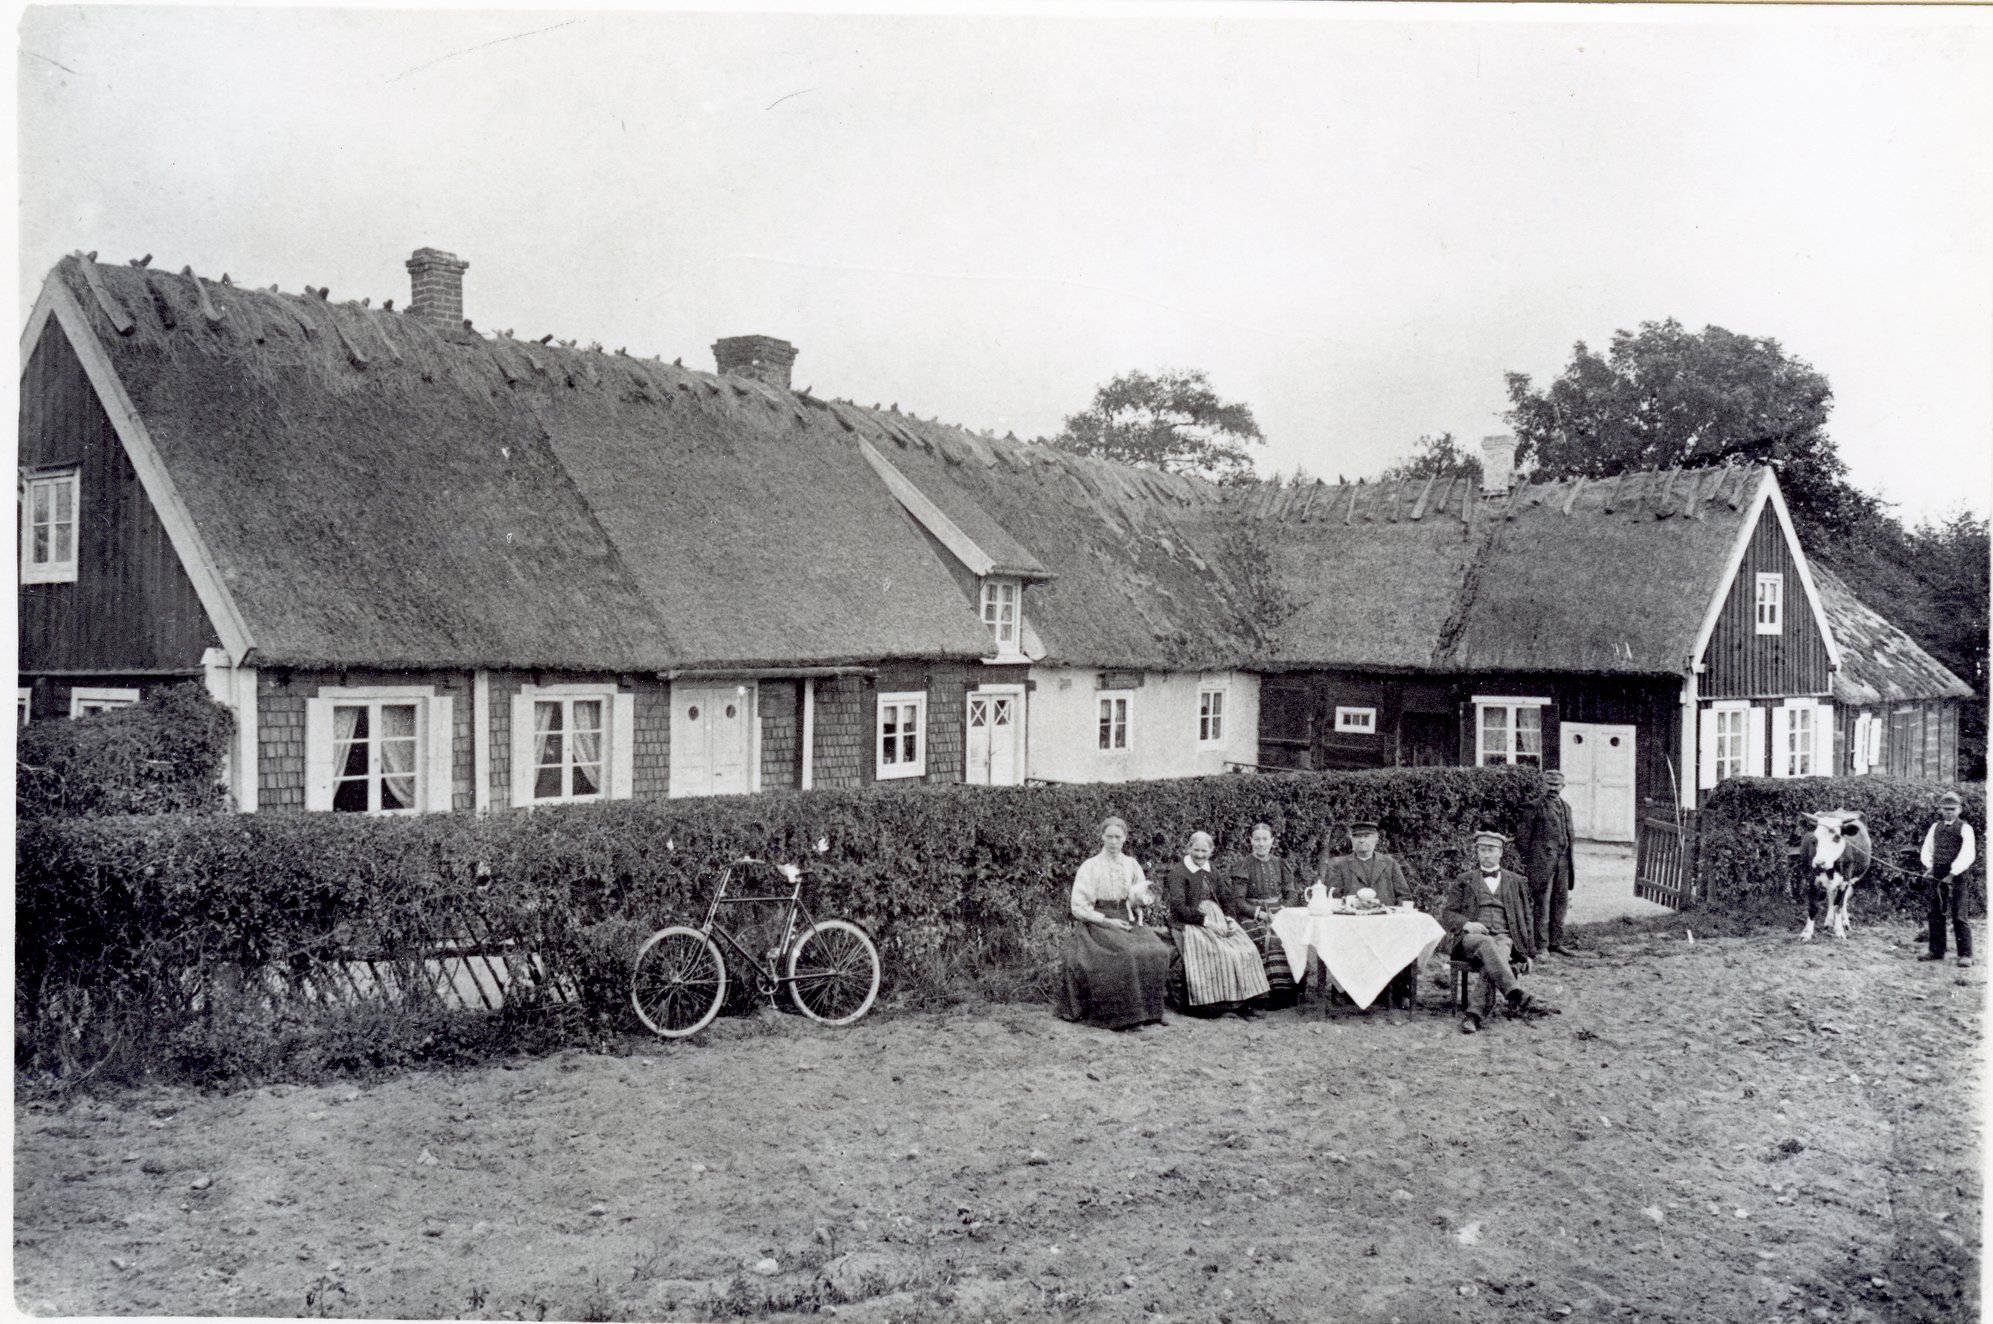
(133, 607)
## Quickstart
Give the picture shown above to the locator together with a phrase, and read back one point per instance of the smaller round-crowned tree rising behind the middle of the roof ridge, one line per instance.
(1171, 422)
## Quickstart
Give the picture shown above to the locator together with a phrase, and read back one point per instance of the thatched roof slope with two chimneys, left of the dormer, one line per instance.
(384, 494)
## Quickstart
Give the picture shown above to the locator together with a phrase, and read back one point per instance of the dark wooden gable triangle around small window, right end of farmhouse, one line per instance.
(1741, 663)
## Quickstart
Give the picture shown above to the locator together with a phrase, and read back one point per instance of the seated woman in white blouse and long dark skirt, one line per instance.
(1113, 972)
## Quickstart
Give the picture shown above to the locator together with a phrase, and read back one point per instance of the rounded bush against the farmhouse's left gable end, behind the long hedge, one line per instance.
(164, 755)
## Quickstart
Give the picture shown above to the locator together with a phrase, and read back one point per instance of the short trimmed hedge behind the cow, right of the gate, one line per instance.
(1749, 828)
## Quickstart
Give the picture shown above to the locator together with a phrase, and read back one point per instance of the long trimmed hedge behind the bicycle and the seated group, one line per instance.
(135, 932)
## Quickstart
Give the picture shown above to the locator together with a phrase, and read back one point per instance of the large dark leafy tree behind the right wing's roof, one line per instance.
(1665, 398)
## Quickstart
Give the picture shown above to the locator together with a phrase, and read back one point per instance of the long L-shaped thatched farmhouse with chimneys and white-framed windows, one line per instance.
(437, 569)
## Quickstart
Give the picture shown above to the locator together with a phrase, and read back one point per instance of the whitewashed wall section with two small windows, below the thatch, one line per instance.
(1063, 727)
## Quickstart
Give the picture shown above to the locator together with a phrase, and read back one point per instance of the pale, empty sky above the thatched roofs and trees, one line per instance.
(1354, 218)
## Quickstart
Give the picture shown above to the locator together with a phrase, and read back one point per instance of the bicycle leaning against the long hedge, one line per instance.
(679, 980)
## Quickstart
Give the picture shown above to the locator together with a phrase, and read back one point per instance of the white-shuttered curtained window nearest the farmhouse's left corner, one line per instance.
(378, 751)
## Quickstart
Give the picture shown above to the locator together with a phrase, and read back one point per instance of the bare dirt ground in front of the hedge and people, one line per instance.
(1735, 1130)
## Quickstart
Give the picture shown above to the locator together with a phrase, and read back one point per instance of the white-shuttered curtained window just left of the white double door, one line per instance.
(573, 743)
